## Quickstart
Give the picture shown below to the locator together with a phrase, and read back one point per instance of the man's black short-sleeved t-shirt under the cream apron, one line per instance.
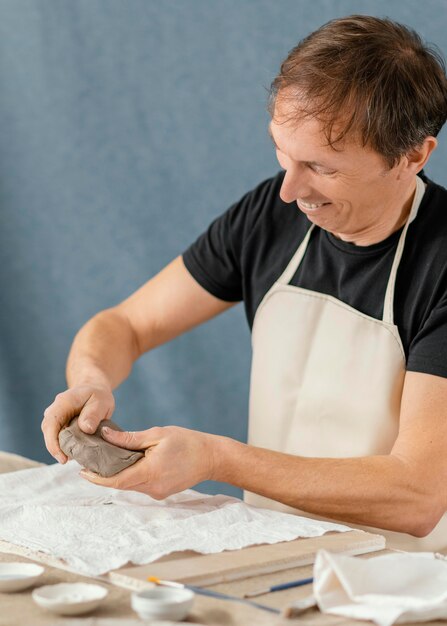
(246, 249)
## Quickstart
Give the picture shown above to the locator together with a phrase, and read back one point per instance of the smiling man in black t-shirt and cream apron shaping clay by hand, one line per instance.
(341, 262)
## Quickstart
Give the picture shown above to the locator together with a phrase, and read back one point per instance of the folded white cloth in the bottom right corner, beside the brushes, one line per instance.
(400, 587)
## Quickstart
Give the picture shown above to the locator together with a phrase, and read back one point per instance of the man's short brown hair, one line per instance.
(371, 77)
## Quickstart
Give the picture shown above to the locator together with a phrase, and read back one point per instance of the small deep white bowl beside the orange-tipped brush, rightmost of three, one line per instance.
(163, 603)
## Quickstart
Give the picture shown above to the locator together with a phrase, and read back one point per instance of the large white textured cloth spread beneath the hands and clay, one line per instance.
(96, 529)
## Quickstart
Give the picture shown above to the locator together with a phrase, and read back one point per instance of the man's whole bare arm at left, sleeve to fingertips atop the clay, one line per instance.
(106, 347)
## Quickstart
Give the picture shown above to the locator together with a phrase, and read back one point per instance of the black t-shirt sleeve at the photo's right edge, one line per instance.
(428, 350)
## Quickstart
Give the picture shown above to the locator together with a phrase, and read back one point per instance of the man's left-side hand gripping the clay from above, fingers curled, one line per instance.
(91, 403)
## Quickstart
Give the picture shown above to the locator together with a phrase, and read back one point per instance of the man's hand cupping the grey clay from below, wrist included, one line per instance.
(175, 459)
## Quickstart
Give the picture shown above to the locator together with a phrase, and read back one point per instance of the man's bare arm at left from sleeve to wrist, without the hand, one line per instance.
(166, 306)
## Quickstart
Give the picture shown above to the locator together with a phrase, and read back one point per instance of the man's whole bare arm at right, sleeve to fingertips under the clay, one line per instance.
(403, 491)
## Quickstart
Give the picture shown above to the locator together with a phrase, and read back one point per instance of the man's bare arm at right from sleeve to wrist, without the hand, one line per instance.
(403, 491)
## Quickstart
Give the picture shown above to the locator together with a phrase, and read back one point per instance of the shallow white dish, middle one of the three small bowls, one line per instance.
(69, 598)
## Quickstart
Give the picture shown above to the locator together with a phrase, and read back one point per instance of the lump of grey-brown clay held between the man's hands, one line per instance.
(93, 452)
